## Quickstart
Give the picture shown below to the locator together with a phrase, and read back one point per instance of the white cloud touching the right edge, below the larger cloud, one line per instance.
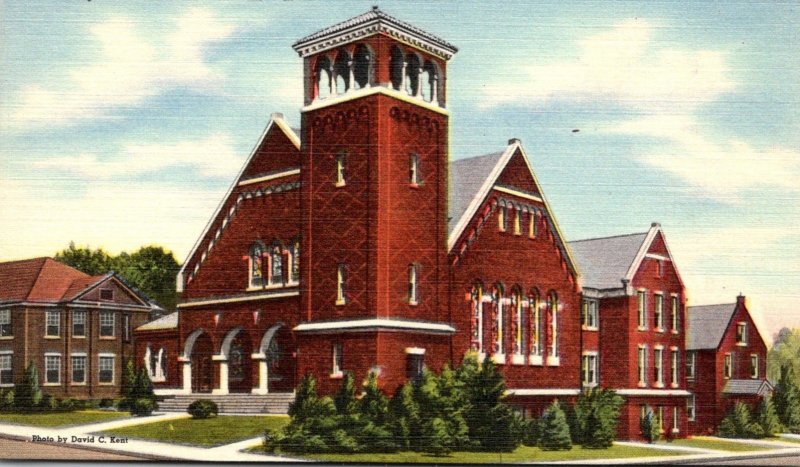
(721, 169)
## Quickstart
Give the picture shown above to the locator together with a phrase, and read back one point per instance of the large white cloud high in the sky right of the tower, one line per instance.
(624, 64)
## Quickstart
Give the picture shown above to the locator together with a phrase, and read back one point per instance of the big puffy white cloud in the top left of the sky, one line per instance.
(131, 68)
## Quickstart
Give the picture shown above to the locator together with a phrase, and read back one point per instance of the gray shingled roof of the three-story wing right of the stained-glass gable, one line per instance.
(604, 262)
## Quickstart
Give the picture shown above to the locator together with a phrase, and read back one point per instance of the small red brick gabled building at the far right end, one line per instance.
(726, 362)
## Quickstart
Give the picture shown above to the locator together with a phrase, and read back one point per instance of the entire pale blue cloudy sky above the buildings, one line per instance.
(124, 123)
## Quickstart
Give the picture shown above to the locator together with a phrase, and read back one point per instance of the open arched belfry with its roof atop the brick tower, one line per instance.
(374, 52)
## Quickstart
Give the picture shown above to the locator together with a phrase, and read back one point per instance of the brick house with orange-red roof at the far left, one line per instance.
(76, 328)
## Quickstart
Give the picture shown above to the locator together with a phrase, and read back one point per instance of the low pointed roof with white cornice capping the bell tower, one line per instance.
(373, 22)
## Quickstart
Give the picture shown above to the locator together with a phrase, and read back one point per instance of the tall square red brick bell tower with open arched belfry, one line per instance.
(374, 200)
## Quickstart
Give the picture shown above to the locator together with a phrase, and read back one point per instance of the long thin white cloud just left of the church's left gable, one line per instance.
(212, 157)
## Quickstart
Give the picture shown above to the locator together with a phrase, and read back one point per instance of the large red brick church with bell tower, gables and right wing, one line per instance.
(354, 244)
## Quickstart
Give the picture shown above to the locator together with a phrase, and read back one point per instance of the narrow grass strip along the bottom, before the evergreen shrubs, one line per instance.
(522, 454)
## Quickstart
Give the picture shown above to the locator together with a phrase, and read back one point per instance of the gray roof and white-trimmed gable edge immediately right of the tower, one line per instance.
(463, 185)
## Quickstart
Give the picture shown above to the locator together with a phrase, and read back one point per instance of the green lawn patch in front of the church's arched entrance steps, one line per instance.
(209, 432)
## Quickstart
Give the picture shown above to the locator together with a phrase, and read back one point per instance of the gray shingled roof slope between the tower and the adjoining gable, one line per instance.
(466, 178)
